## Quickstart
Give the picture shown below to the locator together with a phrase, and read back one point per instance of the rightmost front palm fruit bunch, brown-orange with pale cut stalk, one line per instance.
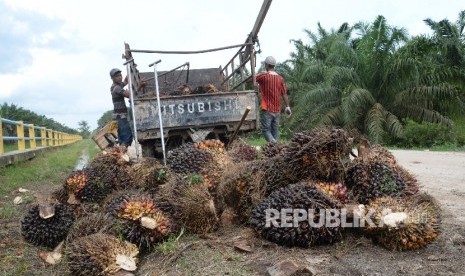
(404, 223)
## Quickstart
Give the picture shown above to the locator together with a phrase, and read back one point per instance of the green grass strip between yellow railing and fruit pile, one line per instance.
(49, 166)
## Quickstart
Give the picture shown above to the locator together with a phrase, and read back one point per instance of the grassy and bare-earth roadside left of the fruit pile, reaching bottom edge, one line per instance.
(40, 175)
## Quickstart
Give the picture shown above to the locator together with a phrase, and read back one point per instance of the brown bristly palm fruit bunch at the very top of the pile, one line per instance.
(322, 153)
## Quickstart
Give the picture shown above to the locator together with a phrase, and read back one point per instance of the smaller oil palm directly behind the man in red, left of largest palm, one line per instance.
(307, 70)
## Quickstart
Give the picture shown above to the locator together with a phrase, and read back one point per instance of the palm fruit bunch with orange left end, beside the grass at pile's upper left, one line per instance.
(88, 185)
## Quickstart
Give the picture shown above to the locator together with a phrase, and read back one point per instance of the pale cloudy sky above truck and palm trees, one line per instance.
(56, 54)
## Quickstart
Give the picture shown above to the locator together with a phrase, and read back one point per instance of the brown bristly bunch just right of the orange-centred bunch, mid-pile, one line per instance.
(190, 203)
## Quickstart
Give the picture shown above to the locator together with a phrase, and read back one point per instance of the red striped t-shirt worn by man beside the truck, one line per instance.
(271, 88)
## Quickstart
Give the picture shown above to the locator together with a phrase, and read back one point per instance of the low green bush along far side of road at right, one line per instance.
(426, 135)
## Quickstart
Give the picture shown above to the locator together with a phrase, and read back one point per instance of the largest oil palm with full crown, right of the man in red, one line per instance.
(372, 82)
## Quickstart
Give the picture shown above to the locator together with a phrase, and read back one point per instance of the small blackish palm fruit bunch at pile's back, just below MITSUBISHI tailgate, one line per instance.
(187, 159)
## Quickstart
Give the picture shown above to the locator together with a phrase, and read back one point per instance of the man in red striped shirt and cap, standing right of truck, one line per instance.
(272, 88)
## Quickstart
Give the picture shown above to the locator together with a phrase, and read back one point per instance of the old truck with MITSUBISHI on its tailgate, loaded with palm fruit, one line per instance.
(195, 104)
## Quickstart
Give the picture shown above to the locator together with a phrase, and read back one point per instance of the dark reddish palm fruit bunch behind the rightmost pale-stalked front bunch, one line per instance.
(367, 180)
